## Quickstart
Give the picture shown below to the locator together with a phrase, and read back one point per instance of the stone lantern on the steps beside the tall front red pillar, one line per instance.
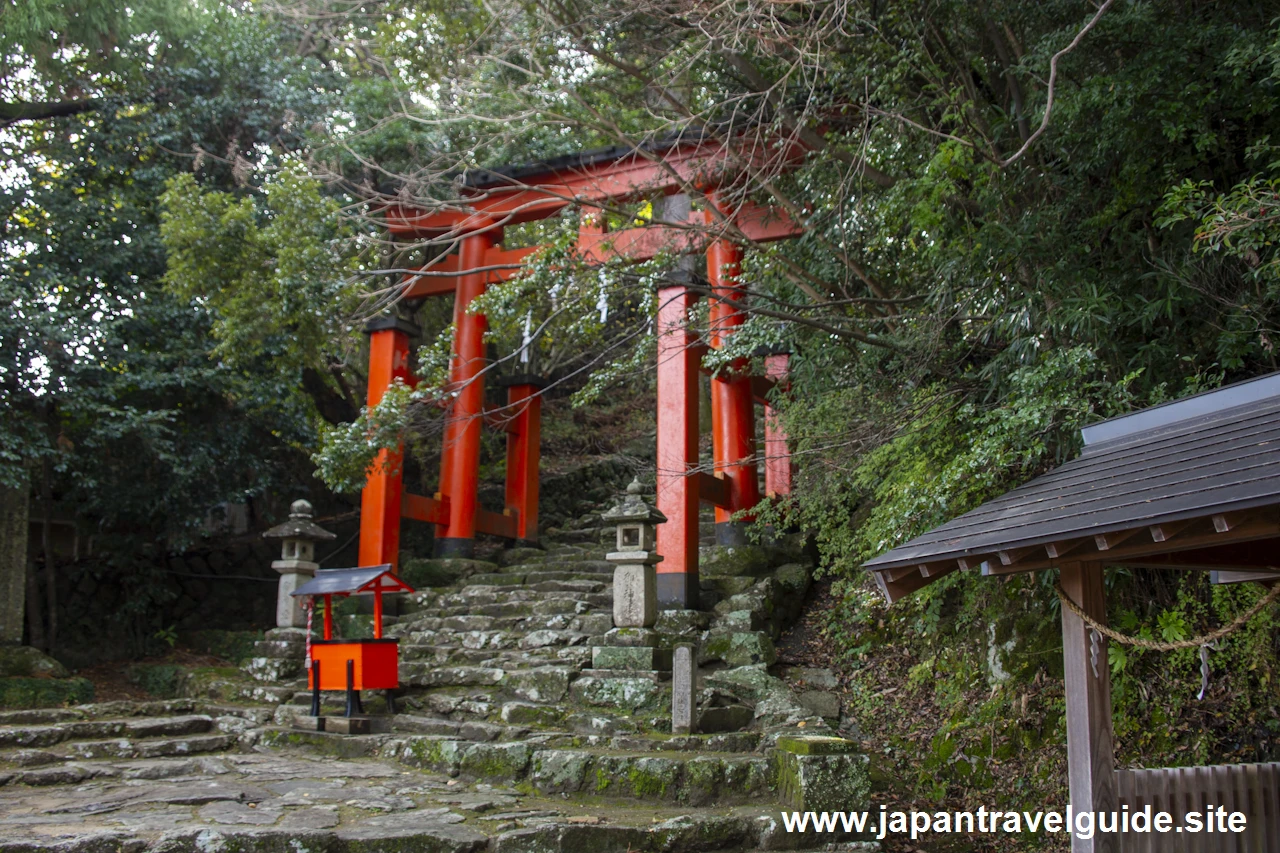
(636, 583)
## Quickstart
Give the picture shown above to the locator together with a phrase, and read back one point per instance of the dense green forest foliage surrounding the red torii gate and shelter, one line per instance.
(1018, 218)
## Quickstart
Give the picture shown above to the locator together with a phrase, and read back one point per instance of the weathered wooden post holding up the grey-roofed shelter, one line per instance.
(1090, 751)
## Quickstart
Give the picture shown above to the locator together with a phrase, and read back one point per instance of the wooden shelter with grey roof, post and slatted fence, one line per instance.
(1192, 485)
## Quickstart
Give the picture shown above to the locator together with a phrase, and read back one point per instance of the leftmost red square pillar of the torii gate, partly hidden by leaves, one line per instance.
(381, 500)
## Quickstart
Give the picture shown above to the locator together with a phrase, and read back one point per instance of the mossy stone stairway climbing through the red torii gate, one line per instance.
(500, 687)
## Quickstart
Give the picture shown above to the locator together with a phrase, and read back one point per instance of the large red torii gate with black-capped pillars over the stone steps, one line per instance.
(592, 181)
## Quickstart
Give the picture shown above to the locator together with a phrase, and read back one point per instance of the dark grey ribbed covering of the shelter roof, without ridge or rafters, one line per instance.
(1178, 469)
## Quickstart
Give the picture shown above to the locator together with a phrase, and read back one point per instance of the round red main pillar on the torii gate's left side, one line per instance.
(460, 459)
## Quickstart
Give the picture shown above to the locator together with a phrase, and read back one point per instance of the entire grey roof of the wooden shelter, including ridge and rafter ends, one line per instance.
(1191, 485)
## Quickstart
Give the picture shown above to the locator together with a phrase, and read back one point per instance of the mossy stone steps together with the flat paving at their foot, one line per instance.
(511, 738)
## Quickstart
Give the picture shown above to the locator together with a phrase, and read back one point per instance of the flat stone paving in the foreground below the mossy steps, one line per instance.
(264, 800)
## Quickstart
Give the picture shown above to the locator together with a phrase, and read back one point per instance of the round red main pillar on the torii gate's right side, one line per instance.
(733, 407)
